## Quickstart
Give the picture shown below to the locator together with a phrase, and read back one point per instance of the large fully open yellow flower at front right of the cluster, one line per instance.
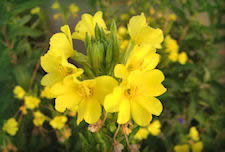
(136, 97)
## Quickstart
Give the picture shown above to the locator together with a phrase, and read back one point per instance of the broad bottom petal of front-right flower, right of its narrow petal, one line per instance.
(140, 115)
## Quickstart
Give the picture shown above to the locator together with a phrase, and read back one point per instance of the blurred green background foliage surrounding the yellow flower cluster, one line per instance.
(196, 91)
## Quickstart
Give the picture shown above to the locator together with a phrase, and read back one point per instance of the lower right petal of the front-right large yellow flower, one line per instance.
(151, 104)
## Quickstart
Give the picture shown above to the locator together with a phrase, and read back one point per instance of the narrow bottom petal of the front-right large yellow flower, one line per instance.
(124, 111)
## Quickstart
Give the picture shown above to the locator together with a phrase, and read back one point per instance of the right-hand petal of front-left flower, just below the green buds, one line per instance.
(105, 85)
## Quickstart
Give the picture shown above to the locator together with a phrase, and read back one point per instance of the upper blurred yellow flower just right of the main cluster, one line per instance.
(171, 44)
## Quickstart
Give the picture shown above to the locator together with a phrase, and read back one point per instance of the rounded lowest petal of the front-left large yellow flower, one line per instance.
(93, 111)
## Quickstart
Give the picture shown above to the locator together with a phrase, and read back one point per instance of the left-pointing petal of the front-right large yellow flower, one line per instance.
(111, 103)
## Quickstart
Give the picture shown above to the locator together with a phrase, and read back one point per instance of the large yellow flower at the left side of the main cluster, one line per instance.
(55, 61)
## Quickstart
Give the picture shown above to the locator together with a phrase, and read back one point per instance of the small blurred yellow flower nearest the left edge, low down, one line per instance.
(11, 126)
